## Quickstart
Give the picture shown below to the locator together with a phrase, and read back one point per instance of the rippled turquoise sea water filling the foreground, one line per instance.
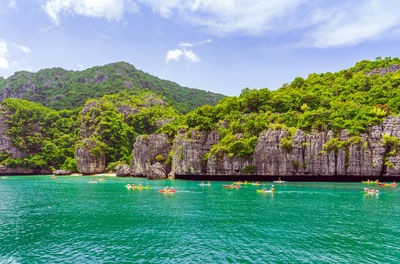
(69, 220)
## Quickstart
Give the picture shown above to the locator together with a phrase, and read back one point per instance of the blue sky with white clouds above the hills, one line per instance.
(221, 46)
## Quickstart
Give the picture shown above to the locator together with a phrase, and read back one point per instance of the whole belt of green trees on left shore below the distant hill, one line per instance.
(49, 137)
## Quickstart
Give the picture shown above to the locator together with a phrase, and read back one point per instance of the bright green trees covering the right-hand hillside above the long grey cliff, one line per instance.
(349, 99)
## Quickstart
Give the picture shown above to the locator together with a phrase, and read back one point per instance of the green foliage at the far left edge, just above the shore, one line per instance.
(47, 137)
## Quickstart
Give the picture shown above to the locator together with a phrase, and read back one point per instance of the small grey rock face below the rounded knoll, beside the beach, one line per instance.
(88, 163)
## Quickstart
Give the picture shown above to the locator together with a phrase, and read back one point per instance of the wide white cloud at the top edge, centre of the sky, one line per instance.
(228, 16)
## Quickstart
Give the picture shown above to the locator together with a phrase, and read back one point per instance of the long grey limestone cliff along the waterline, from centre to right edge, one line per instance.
(366, 155)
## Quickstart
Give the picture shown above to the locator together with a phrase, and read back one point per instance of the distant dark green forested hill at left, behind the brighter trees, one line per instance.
(59, 89)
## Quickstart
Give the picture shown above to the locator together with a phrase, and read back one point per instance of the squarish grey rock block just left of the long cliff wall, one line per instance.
(149, 156)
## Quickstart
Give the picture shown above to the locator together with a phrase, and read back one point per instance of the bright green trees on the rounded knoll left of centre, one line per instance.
(114, 122)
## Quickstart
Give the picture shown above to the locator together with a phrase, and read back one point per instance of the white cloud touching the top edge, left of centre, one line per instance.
(109, 9)
